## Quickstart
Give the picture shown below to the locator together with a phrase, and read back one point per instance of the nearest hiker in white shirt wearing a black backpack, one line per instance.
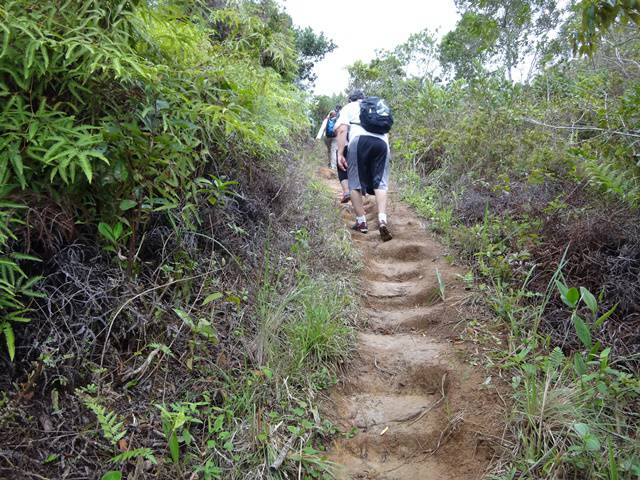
(367, 157)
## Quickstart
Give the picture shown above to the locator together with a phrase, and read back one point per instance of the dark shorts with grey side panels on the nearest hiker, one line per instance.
(368, 159)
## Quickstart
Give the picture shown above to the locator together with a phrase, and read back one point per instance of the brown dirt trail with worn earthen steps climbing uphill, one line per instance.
(417, 409)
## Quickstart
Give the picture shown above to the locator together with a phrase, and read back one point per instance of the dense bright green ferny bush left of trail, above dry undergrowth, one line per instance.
(117, 112)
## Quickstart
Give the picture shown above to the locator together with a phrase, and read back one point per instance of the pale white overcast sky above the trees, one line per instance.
(360, 27)
